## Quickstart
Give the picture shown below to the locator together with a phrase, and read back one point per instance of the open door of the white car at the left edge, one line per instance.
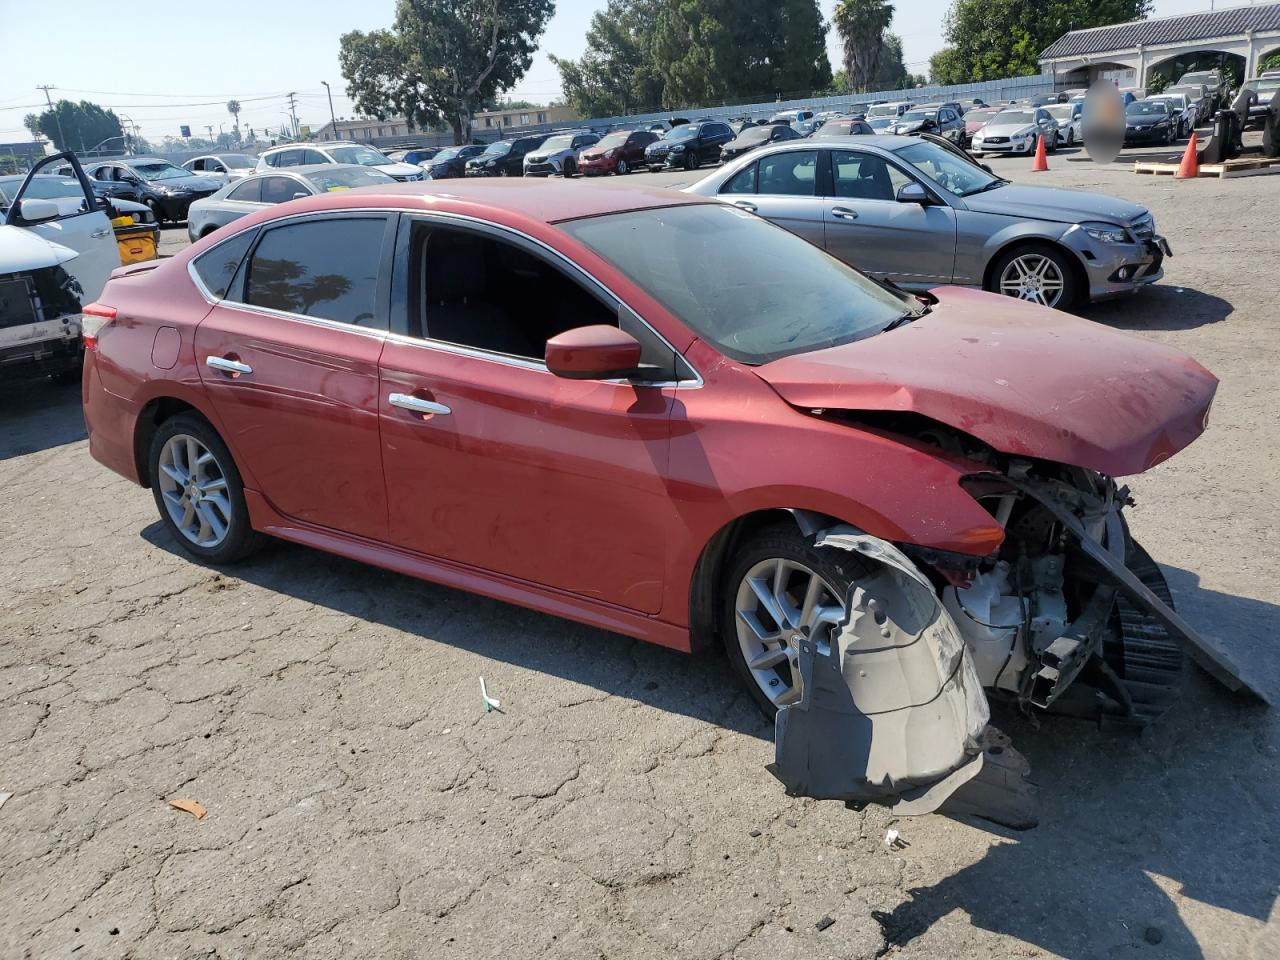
(83, 227)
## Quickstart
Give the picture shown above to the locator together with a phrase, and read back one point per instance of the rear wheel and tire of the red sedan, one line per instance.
(199, 491)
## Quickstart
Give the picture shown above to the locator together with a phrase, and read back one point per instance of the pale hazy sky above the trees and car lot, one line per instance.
(259, 51)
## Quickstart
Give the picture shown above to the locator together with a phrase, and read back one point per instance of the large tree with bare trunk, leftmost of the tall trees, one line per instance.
(442, 60)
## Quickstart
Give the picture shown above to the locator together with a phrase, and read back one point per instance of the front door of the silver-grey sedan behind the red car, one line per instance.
(912, 245)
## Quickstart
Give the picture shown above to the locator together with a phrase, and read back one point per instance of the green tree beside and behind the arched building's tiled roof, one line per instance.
(999, 39)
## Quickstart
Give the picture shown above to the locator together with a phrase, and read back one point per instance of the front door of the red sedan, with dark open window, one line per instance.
(495, 463)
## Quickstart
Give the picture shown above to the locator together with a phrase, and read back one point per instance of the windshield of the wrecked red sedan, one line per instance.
(749, 289)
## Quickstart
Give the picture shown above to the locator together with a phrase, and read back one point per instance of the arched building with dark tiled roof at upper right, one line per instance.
(1132, 53)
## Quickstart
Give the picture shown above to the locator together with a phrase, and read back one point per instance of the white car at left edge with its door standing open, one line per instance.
(56, 257)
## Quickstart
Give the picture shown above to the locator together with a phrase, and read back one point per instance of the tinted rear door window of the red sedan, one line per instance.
(327, 268)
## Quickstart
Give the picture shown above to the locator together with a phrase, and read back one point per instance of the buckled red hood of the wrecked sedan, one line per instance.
(1023, 380)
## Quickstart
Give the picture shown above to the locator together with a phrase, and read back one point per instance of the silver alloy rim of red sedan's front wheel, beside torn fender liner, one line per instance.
(780, 604)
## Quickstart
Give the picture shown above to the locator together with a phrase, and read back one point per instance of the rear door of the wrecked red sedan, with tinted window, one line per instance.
(290, 360)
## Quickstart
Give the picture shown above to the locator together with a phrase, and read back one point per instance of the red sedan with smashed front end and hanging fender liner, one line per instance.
(668, 418)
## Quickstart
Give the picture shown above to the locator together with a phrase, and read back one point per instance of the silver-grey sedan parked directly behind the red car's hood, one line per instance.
(921, 213)
